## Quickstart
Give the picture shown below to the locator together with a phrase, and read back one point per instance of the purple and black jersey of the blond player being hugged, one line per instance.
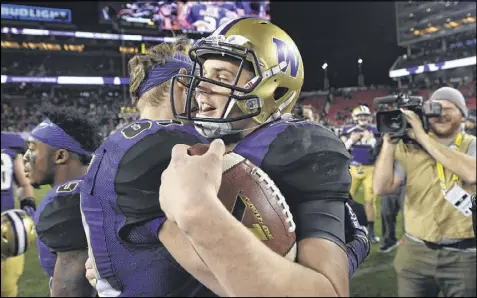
(122, 216)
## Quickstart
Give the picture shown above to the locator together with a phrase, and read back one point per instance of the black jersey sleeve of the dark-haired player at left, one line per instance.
(60, 226)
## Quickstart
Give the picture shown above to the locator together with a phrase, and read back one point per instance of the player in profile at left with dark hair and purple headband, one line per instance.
(59, 151)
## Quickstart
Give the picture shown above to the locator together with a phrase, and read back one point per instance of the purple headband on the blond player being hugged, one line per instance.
(161, 73)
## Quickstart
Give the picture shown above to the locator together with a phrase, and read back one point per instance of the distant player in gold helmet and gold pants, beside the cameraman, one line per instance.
(360, 140)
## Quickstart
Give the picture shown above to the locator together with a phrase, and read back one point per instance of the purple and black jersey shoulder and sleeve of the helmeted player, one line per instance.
(309, 164)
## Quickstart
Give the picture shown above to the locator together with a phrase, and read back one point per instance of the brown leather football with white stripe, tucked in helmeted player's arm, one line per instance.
(254, 199)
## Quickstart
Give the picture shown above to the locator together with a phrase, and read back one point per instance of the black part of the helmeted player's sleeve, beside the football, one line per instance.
(315, 181)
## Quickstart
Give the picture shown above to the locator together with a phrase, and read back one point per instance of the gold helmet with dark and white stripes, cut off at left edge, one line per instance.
(18, 233)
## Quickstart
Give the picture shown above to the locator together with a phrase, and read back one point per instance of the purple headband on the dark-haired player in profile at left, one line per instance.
(51, 134)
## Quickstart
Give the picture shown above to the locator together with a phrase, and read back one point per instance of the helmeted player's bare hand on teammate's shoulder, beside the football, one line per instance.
(189, 182)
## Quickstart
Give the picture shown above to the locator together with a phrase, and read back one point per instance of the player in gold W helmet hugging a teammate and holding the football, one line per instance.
(250, 76)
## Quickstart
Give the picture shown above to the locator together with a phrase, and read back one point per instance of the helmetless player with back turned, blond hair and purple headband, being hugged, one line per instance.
(121, 213)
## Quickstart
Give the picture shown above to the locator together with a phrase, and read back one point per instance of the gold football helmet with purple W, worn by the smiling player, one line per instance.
(247, 46)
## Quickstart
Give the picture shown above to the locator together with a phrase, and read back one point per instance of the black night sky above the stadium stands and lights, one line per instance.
(335, 32)
